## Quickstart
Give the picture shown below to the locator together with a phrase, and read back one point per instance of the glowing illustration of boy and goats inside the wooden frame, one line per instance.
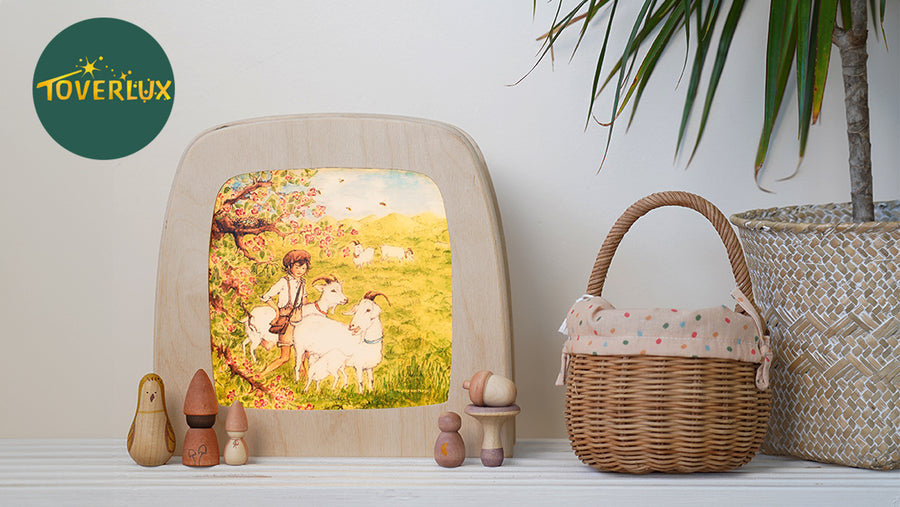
(330, 289)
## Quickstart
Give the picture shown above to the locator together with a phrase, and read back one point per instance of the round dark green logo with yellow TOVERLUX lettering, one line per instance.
(103, 88)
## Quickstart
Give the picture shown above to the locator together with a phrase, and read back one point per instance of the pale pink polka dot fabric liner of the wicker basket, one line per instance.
(595, 326)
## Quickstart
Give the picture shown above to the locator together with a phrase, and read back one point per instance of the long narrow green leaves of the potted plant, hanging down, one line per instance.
(799, 35)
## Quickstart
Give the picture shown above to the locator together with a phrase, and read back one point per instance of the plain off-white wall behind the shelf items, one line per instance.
(81, 236)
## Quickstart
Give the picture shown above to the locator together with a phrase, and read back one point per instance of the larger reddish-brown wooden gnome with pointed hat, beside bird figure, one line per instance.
(201, 446)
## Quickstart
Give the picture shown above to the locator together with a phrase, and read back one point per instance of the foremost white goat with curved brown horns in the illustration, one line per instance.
(333, 346)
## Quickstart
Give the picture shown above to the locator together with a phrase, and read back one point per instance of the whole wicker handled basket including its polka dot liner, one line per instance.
(665, 390)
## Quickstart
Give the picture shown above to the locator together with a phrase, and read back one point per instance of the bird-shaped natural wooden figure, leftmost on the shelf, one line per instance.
(151, 439)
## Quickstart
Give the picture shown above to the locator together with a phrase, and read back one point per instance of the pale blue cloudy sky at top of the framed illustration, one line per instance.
(358, 193)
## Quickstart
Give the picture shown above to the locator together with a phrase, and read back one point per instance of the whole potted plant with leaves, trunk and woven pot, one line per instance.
(827, 276)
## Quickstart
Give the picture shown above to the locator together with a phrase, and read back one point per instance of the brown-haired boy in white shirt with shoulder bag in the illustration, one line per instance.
(287, 296)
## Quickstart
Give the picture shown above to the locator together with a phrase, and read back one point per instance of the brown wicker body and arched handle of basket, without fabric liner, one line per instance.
(644, 413)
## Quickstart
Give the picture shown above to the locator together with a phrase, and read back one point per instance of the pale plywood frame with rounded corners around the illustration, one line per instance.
(482, 334)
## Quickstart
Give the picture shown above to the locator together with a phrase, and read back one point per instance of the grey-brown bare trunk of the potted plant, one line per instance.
(852, 45)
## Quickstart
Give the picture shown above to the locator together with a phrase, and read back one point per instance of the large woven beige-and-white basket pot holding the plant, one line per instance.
(829, 292)
